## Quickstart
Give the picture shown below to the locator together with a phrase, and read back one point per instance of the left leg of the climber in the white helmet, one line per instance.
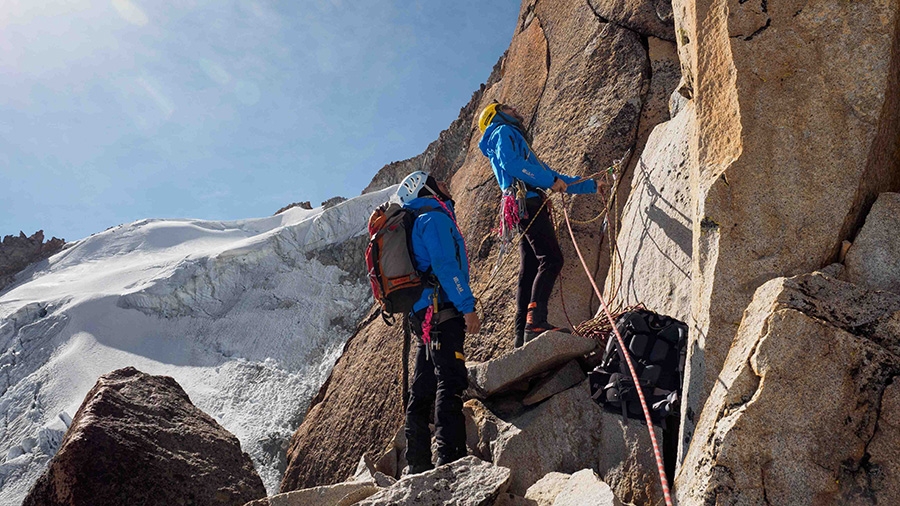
(418, 411)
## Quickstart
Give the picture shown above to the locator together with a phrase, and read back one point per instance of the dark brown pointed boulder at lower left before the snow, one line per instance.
(139, 436)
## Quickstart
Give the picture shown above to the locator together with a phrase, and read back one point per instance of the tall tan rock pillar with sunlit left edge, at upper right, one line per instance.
(784, 164)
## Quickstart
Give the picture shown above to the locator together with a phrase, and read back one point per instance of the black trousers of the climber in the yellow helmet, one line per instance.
(541, 261)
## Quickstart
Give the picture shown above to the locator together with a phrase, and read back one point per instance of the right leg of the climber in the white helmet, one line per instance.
(452, 380)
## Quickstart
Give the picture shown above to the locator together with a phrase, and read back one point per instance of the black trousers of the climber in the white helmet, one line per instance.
(440, 382)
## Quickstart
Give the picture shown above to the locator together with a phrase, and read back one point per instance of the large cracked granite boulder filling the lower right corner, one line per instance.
(806, 407)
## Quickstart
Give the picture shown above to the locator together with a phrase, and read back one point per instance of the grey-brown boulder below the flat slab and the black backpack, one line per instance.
(566, 433)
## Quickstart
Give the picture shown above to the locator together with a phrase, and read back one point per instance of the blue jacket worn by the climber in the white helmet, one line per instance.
(437, 245)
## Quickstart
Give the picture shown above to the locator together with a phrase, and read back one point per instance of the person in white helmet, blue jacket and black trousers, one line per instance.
(440, 318)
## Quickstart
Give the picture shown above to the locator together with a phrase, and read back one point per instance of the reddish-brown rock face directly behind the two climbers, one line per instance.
(585, 87)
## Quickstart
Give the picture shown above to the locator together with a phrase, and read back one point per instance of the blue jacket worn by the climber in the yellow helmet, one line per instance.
(512, 158)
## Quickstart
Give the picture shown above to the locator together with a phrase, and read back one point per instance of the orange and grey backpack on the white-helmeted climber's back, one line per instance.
(396, 284)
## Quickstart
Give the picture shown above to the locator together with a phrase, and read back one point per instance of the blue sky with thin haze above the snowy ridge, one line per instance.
(117, 110)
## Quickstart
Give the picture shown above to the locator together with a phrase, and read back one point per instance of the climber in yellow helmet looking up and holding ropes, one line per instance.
(519, 171)
